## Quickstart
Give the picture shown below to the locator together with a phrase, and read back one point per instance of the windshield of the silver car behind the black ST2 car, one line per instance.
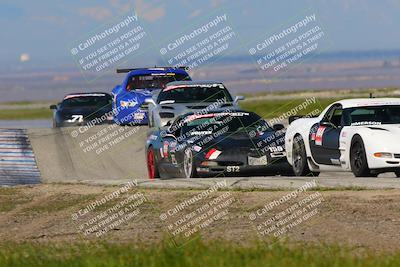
(195, 94)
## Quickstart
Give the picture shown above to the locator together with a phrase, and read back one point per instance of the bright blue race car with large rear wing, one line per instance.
(140, 84)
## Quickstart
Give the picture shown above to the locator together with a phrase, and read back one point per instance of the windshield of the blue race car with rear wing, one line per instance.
(158, 81)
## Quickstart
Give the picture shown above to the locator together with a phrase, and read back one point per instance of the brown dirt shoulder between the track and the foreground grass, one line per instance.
(45, 213)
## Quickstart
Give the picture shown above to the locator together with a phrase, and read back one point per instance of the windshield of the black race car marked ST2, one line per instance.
(230, 122)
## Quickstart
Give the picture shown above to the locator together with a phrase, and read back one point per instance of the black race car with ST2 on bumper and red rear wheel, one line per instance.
(230, 142)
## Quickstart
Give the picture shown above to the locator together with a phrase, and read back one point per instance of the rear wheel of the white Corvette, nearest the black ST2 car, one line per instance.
(300, 165)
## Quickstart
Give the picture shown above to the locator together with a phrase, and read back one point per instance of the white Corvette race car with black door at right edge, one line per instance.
(357, 135)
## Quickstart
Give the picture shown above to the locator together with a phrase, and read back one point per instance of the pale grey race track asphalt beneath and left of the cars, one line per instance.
(114, 155)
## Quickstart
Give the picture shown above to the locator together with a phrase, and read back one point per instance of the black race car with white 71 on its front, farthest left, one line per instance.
(83, 109)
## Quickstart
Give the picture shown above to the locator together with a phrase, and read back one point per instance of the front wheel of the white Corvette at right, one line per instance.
(358, 159)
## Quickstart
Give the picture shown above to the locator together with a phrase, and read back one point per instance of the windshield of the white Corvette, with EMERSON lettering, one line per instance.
(373, 115)
